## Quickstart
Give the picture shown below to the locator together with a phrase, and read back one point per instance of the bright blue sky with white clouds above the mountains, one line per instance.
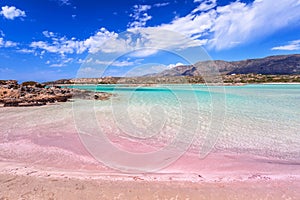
(45, 40)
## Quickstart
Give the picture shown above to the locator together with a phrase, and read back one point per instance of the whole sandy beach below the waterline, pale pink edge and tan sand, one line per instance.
(19, 181)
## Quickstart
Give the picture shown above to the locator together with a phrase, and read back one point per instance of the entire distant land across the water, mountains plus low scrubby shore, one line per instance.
(284, 68)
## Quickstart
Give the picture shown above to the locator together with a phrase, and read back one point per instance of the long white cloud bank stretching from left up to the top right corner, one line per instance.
(219, 27)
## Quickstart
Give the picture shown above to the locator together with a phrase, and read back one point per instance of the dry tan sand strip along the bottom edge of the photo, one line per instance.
(43, 187)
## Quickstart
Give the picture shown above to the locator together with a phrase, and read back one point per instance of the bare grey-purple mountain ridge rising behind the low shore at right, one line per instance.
(275, 65)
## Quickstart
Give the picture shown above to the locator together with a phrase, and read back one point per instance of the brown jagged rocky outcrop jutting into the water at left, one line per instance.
(35, 94)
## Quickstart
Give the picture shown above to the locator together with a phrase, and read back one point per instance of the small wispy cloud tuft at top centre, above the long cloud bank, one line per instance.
(139, 15)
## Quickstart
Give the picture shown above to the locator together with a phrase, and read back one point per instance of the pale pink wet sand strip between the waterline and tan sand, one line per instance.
(206, 176)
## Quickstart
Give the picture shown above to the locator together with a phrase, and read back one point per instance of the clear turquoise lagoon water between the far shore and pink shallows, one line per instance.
(256, 119)
